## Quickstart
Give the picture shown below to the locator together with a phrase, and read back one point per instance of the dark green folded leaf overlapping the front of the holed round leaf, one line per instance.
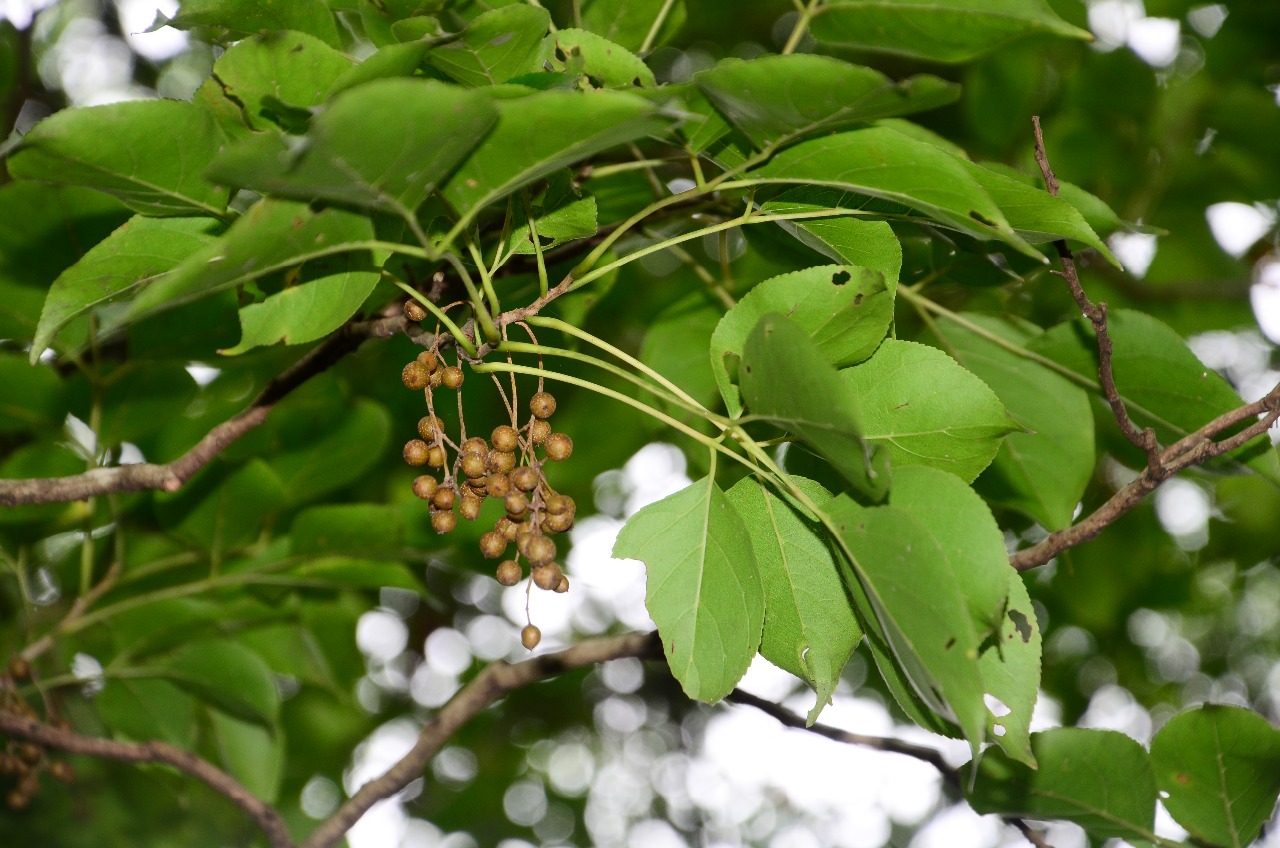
(787, 380)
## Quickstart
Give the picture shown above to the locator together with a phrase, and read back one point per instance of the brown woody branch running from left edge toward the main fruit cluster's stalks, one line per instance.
(170, 477)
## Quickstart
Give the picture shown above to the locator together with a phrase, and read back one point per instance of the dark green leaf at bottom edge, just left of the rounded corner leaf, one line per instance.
(1099, 779)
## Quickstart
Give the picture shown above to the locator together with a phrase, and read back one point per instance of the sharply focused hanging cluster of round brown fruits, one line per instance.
(508, 467)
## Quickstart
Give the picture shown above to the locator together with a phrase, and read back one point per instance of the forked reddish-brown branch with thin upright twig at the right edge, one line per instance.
(1162, 464)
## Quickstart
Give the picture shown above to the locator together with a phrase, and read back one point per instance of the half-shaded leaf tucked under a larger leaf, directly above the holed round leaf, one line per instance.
(848, 240)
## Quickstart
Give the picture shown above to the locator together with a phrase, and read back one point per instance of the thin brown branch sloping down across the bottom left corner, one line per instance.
(263, 814)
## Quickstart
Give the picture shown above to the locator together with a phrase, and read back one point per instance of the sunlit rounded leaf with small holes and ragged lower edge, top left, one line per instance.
(290, 69)
